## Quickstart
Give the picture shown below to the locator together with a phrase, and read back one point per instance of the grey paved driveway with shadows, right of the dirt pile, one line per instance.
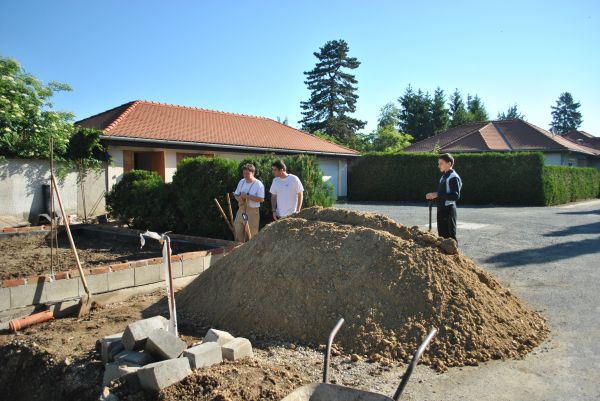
(550, 258)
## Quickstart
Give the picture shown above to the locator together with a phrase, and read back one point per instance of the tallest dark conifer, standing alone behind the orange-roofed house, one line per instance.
(333, 93)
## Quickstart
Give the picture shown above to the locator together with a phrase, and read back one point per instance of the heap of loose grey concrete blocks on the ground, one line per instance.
(159, 358)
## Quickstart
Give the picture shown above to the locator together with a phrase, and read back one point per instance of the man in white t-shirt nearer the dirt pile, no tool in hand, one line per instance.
(286, 192)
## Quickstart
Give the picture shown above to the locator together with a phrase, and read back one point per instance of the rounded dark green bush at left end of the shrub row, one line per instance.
(141, 200)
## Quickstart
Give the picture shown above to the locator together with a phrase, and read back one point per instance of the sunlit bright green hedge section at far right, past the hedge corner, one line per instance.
(569, 184)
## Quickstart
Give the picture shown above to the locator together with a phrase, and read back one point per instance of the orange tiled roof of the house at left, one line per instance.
(164, 122)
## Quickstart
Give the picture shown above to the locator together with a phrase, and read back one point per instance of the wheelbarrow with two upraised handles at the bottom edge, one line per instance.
(333, 392)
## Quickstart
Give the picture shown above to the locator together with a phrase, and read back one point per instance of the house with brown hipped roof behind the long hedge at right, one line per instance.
(511, 136)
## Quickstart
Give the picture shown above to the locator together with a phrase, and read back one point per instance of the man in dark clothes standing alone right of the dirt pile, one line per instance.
(446, 196)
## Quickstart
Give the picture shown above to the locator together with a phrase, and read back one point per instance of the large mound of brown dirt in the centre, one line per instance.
(391, 284)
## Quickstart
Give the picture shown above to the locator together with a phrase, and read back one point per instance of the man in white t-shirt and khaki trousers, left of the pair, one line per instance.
(249, 194)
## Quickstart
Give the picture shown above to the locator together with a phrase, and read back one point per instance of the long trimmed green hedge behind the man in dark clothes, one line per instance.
(488, 178)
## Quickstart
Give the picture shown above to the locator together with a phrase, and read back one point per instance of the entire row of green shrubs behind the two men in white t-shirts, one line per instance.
(186, 205)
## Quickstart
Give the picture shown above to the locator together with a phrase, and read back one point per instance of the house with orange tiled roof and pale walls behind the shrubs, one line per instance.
(155, 136)
